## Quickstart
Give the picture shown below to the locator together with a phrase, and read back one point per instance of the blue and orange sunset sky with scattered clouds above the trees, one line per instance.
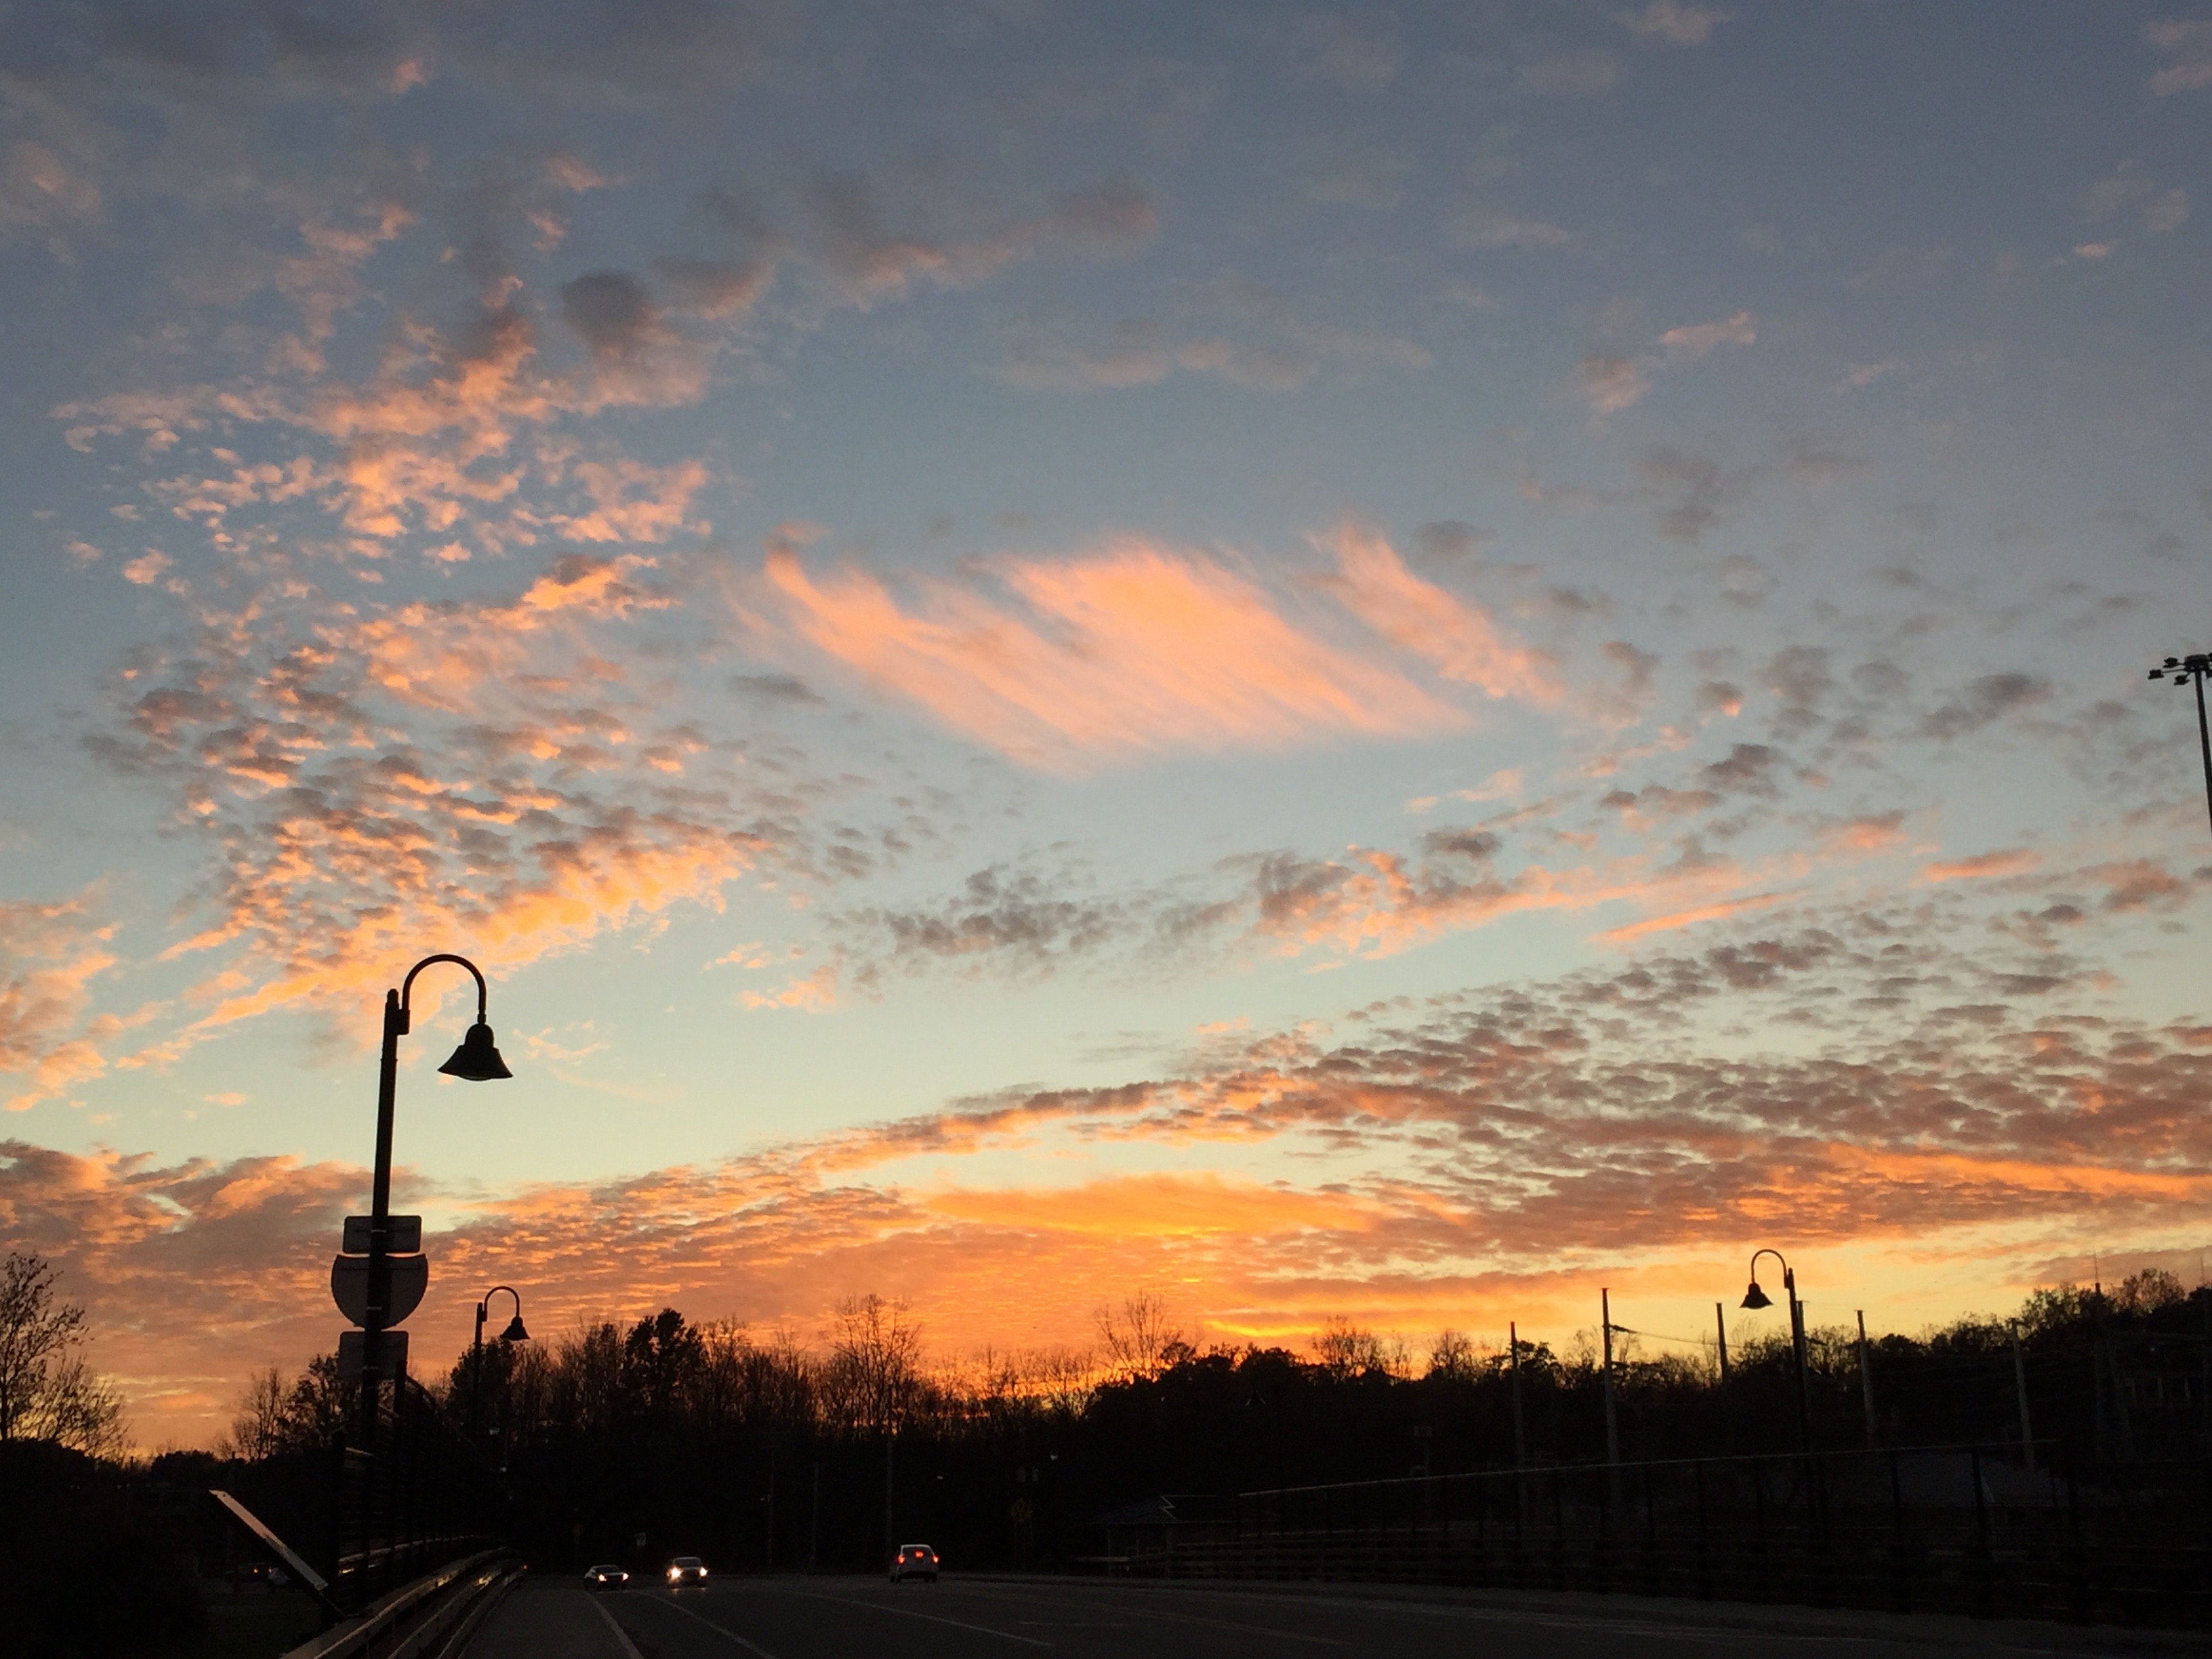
(1384, 665)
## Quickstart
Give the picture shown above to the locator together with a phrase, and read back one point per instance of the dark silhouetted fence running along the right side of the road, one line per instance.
(1959, 1530)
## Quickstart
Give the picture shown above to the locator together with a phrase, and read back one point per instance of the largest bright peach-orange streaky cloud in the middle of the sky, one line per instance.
(1138, 649)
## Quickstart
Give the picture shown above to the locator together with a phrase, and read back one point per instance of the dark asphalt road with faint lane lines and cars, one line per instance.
(853, 1618)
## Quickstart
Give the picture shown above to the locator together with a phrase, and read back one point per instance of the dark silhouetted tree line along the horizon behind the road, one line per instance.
(762, 1450)
